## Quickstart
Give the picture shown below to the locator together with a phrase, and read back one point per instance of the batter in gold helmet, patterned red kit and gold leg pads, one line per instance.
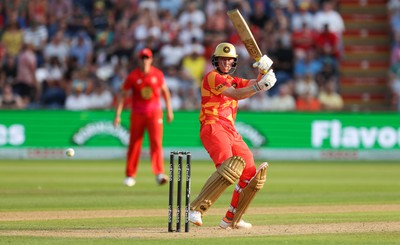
(220, 93)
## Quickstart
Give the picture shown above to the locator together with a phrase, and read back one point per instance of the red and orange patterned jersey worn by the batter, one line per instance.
(216, 107)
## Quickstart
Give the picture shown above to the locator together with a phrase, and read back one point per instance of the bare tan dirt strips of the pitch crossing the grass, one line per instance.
(199, 232)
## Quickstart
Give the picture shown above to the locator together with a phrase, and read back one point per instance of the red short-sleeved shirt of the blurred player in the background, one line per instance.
(145, 89)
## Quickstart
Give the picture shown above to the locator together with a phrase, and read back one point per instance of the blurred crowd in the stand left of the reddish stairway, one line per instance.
(74, 54)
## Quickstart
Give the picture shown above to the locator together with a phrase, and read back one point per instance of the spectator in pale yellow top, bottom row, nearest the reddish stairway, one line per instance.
(330, 100)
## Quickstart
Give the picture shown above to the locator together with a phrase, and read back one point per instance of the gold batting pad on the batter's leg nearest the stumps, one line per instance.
(227, 174)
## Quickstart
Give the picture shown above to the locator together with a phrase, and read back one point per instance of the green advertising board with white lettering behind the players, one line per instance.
(46, 134)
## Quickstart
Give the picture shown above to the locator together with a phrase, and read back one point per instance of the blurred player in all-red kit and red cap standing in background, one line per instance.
(146, 86)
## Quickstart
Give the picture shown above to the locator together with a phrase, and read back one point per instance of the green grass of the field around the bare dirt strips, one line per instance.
(97, 185)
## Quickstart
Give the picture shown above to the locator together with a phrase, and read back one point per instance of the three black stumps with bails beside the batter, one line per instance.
(179, 190)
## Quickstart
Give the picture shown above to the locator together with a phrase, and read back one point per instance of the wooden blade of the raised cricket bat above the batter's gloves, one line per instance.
(245, 33)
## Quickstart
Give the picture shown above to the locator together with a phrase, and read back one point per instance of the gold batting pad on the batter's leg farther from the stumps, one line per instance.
(248, 193)
